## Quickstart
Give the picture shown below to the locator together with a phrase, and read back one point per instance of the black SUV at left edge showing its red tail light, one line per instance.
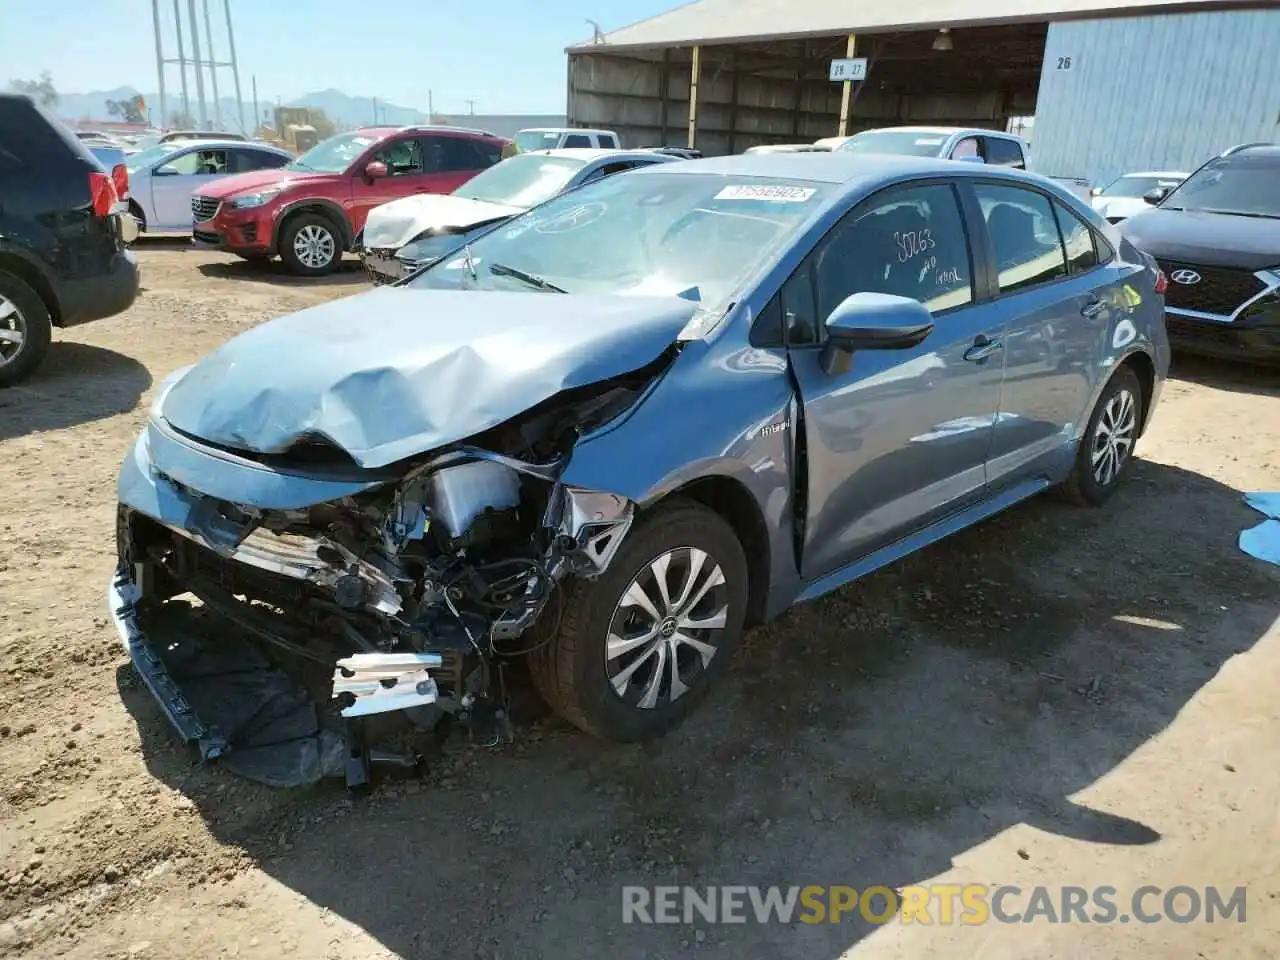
(63, 236)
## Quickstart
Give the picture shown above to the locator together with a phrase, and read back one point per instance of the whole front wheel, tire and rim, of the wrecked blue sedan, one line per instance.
(639, 647)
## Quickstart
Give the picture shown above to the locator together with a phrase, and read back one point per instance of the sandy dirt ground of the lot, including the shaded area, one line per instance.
(1060, 697)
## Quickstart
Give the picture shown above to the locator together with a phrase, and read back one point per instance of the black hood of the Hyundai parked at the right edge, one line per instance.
(1209, 240)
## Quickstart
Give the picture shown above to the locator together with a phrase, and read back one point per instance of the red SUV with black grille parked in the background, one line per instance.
(314, 208)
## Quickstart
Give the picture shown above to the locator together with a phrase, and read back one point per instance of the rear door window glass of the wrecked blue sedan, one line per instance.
(1025, 236)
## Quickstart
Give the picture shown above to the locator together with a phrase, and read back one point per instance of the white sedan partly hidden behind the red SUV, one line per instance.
(164, 177)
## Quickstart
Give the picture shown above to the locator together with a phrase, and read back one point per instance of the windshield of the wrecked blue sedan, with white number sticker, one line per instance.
(661, 235)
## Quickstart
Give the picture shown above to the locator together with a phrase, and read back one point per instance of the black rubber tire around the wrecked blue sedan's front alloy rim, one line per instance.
(573, 673)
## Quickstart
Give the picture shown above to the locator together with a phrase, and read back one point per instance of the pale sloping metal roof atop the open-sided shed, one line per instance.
(742, 21)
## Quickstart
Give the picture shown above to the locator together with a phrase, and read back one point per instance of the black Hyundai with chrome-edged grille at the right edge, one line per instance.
(1217, 236)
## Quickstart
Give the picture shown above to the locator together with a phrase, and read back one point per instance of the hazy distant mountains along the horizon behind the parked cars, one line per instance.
(345, 111)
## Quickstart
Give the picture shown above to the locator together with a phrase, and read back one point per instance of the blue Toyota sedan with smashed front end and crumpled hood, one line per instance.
(601, 440)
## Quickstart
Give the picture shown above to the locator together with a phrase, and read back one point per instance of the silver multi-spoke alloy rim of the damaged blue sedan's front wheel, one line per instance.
(666, 629)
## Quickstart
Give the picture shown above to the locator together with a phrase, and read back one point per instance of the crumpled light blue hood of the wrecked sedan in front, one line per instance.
(399, 372)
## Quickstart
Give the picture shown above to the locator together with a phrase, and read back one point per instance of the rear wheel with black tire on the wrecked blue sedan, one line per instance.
(1121, 405)
